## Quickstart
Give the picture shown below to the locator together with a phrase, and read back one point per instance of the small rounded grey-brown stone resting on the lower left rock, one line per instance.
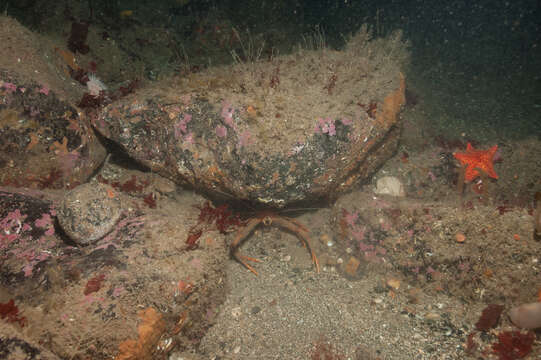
(89, 212)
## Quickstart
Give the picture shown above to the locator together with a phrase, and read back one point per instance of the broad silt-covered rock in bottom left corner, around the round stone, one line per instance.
(98, 284)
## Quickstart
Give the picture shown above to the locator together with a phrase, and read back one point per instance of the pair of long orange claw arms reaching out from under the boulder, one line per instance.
(267, 220)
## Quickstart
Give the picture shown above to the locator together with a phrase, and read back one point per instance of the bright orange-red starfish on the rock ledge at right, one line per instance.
(477, 159)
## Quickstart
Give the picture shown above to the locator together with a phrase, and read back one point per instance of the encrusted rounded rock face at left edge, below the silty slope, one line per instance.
(44, 141)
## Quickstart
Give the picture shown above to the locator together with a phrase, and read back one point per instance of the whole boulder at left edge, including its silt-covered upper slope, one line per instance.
(45, 142)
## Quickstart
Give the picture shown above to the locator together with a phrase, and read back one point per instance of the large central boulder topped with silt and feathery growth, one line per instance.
(296, 128)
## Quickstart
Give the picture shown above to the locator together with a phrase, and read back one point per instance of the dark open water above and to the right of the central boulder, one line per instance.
(476, 65)
